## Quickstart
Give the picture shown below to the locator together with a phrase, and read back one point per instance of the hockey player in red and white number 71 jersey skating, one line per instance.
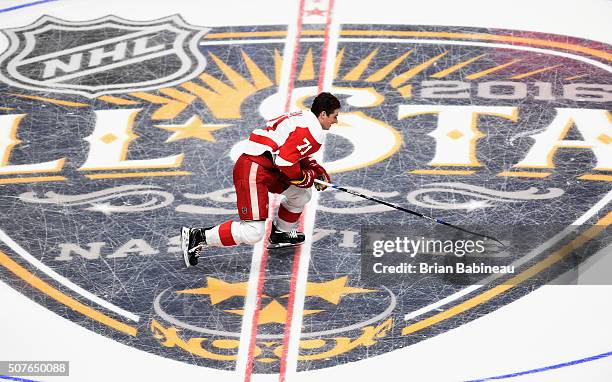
(277, 159)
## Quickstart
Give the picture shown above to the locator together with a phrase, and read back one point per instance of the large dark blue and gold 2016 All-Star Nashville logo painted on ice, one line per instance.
(114, 134)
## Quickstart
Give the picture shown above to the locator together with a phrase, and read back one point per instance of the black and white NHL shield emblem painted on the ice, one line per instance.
(103, 56)
